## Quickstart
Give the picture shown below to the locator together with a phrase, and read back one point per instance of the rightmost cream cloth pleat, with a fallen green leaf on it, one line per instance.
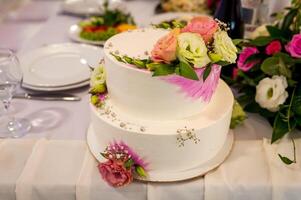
(286, 179)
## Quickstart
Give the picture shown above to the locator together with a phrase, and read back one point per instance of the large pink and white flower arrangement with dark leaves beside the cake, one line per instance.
(268, 75)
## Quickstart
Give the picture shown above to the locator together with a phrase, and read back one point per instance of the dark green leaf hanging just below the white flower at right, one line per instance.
(280, 128)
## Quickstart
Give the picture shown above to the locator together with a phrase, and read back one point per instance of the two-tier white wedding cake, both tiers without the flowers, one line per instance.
(177, 136)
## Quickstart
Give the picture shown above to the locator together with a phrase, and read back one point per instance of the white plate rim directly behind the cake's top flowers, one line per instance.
(157, 19)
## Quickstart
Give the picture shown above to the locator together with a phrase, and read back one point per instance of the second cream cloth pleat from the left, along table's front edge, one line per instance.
(52, 171)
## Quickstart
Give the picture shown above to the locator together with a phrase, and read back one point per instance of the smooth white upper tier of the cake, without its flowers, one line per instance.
(134, 91)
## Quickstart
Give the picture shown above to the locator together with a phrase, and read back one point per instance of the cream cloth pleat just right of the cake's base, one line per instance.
(244, 175)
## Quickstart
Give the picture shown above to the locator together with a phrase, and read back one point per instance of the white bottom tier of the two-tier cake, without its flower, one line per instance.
(177, 149)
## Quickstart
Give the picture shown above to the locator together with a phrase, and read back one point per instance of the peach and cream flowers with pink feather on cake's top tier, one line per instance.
(190, 57)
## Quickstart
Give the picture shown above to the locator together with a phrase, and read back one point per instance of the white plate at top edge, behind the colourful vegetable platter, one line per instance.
(90, 7)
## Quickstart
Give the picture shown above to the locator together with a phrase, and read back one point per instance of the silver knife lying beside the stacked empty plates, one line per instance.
(47, 96)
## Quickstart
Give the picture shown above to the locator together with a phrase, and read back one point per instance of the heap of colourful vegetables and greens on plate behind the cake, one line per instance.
(111, 22)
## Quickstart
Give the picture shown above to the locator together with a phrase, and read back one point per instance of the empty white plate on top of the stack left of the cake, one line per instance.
(59, 65)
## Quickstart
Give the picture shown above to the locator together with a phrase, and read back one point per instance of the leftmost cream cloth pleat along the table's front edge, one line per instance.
(13, 156)
